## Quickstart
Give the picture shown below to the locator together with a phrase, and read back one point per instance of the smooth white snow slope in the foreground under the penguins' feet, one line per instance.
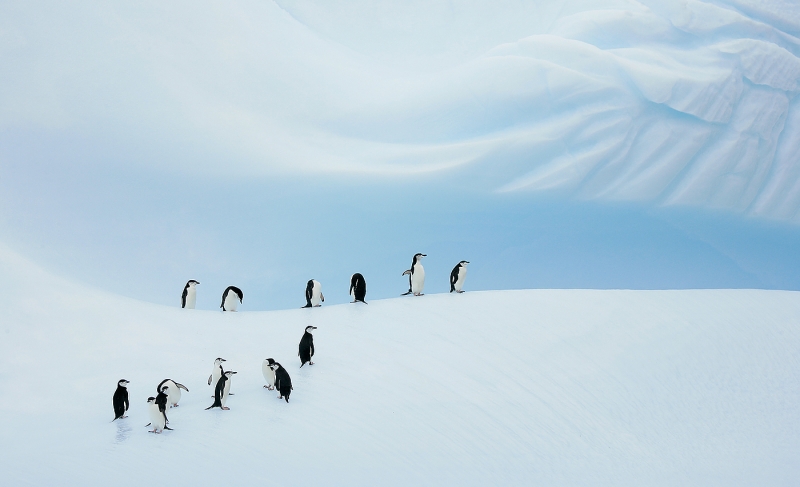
(548, 387)
